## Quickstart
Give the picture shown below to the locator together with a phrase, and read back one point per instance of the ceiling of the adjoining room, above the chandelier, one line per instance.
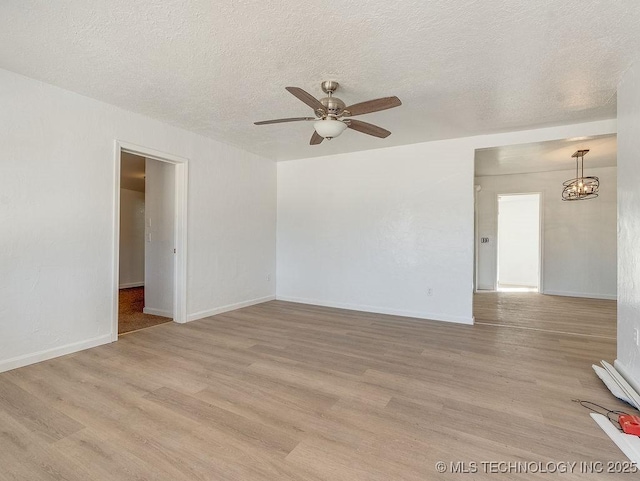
(546, 156)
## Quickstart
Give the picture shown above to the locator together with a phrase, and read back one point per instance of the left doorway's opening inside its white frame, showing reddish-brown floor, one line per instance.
(147, 191)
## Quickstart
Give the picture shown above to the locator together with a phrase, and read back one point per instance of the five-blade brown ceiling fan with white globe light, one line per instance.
(333, 116)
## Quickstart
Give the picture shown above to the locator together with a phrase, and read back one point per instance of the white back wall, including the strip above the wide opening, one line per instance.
(376, 230)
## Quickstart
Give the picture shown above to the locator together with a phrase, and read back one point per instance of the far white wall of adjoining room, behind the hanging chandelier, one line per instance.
(578, 235)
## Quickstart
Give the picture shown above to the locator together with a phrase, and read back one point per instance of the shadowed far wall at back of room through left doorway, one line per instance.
(131, 238)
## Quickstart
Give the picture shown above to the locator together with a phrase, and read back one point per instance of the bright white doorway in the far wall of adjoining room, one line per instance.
(518, 243)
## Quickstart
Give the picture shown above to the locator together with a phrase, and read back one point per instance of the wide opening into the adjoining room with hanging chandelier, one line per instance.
(571, 233)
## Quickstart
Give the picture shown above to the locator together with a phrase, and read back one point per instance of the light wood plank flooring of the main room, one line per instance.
(283, 391)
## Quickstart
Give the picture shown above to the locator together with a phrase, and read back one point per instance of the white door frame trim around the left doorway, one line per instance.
(181, 166)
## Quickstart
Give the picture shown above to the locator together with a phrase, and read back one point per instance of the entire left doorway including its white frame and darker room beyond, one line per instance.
(150, 239)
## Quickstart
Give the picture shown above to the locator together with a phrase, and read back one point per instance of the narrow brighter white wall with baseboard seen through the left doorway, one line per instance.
(159, 223)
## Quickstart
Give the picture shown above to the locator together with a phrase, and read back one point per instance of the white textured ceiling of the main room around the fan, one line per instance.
(460, 67)
